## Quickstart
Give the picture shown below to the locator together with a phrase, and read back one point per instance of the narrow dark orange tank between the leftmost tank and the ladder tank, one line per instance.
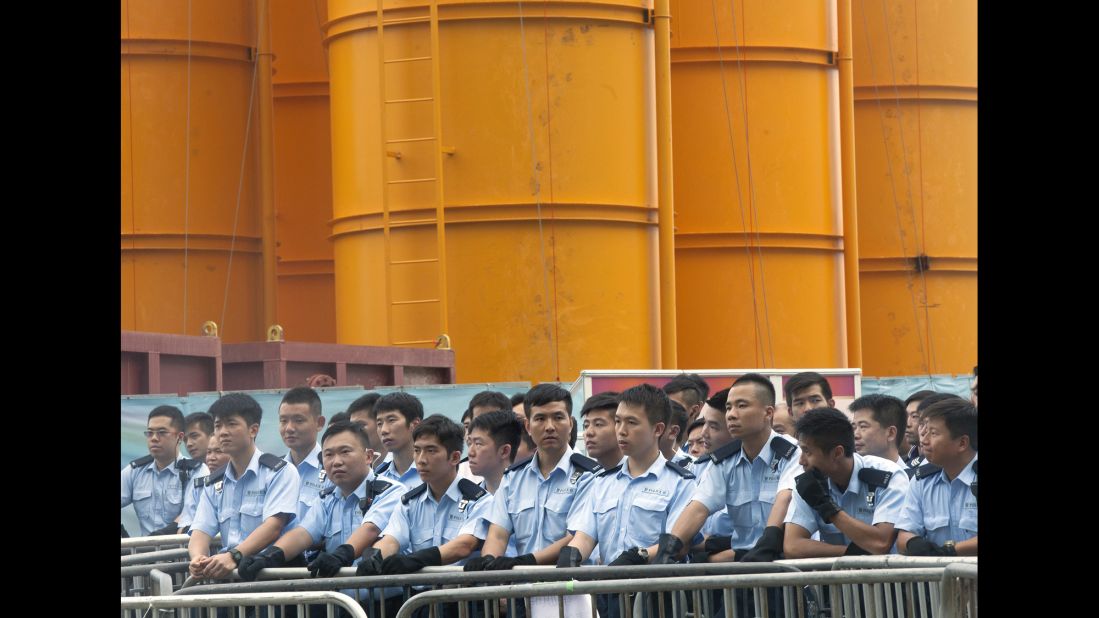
(303, 171)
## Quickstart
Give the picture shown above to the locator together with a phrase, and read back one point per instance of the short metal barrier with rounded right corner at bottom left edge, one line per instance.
(145, 606)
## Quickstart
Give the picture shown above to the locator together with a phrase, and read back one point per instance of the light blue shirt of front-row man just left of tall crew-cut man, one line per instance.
(621, 512)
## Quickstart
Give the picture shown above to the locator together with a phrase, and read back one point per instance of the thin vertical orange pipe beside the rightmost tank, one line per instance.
(851, 284)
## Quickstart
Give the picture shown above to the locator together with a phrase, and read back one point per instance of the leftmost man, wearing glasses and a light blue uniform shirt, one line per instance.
(156, 483)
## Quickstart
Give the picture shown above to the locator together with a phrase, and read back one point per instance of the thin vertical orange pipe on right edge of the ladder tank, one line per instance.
(662, 17)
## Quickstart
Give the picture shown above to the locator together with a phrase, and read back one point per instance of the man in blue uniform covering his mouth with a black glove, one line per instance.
(851, 500)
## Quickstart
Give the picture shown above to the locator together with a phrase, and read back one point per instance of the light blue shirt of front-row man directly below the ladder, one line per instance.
(423, 523)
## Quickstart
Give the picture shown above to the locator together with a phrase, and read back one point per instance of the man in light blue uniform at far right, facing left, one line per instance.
(940, 516)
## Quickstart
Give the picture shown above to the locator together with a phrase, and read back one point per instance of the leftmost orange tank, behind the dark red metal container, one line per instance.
(191, 222)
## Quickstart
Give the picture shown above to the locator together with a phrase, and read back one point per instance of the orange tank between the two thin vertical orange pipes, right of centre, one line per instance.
(760, 240)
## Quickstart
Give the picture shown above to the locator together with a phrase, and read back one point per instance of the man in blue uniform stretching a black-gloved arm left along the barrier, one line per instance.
(357, 499)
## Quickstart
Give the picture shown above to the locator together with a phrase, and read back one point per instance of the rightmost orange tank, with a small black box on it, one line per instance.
(916, 119)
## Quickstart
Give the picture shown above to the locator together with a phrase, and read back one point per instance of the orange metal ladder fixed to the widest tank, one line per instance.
(412, 168)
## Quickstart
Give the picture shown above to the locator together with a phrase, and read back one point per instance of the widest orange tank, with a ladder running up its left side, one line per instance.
(494, 178)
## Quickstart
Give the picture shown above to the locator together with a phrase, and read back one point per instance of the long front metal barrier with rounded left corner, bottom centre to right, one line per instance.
(842, 584)
